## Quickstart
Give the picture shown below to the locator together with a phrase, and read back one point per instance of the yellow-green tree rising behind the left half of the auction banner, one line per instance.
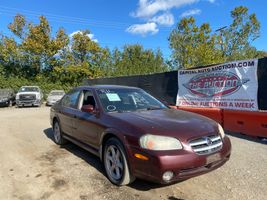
(192, 45)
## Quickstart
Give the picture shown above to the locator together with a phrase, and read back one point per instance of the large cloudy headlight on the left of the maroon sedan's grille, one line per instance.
(159, 143)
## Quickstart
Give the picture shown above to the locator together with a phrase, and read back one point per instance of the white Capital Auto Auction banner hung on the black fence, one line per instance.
(231, 86)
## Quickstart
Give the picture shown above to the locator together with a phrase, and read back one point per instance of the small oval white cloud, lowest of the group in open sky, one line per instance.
(143, 29)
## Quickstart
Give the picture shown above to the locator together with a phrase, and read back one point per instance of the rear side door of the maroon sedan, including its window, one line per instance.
(68, 111)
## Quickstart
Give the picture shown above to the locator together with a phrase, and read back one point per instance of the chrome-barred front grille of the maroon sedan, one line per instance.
(206, 145)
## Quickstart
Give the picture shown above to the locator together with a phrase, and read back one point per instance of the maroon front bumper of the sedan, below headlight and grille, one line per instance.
(184, 164)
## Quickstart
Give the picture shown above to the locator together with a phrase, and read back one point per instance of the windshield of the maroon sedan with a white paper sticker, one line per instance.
(127, 100)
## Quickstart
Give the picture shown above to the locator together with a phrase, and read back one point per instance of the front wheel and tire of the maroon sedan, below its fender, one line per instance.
(116, 164)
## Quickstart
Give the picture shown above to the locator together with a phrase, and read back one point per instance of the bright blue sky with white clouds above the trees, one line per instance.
(119, 22)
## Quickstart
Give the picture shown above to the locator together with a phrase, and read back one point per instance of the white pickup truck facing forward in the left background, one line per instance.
(29, 96)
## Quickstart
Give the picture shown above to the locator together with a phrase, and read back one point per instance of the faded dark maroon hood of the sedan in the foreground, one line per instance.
(175, 123)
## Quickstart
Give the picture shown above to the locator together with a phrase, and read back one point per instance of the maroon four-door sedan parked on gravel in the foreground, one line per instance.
(135, 135)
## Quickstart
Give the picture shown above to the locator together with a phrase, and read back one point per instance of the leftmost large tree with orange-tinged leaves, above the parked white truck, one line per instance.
(35, 49)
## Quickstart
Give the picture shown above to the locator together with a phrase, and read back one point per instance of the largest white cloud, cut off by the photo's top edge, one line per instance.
(148, 8)
